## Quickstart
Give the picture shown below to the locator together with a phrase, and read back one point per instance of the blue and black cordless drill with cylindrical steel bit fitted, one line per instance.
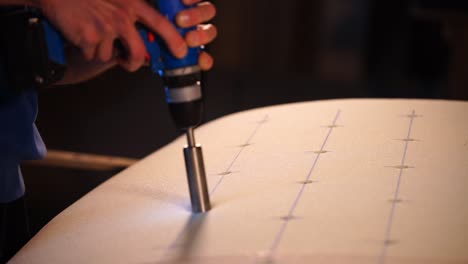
(182, 81)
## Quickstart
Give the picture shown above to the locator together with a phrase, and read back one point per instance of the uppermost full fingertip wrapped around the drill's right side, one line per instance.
(203, 12)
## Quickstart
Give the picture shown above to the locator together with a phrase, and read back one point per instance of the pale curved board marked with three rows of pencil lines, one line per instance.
(142, 215)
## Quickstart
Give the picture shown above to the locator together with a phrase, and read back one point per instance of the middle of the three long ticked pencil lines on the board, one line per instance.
(276, 242)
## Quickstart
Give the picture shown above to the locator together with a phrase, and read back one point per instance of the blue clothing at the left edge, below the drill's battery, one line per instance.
(19, 138)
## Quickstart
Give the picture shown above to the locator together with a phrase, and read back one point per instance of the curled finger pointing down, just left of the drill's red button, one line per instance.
(134, 48)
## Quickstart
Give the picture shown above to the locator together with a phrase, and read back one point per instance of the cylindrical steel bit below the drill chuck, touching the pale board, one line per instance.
(196, 175)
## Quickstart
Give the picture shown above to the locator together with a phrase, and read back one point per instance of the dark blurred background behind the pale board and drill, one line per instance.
(267, 52)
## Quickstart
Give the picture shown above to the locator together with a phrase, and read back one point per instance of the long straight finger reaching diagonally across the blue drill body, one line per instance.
(160, 25)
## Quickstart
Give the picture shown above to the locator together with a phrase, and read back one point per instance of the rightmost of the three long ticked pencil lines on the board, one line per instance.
(396, 197)
